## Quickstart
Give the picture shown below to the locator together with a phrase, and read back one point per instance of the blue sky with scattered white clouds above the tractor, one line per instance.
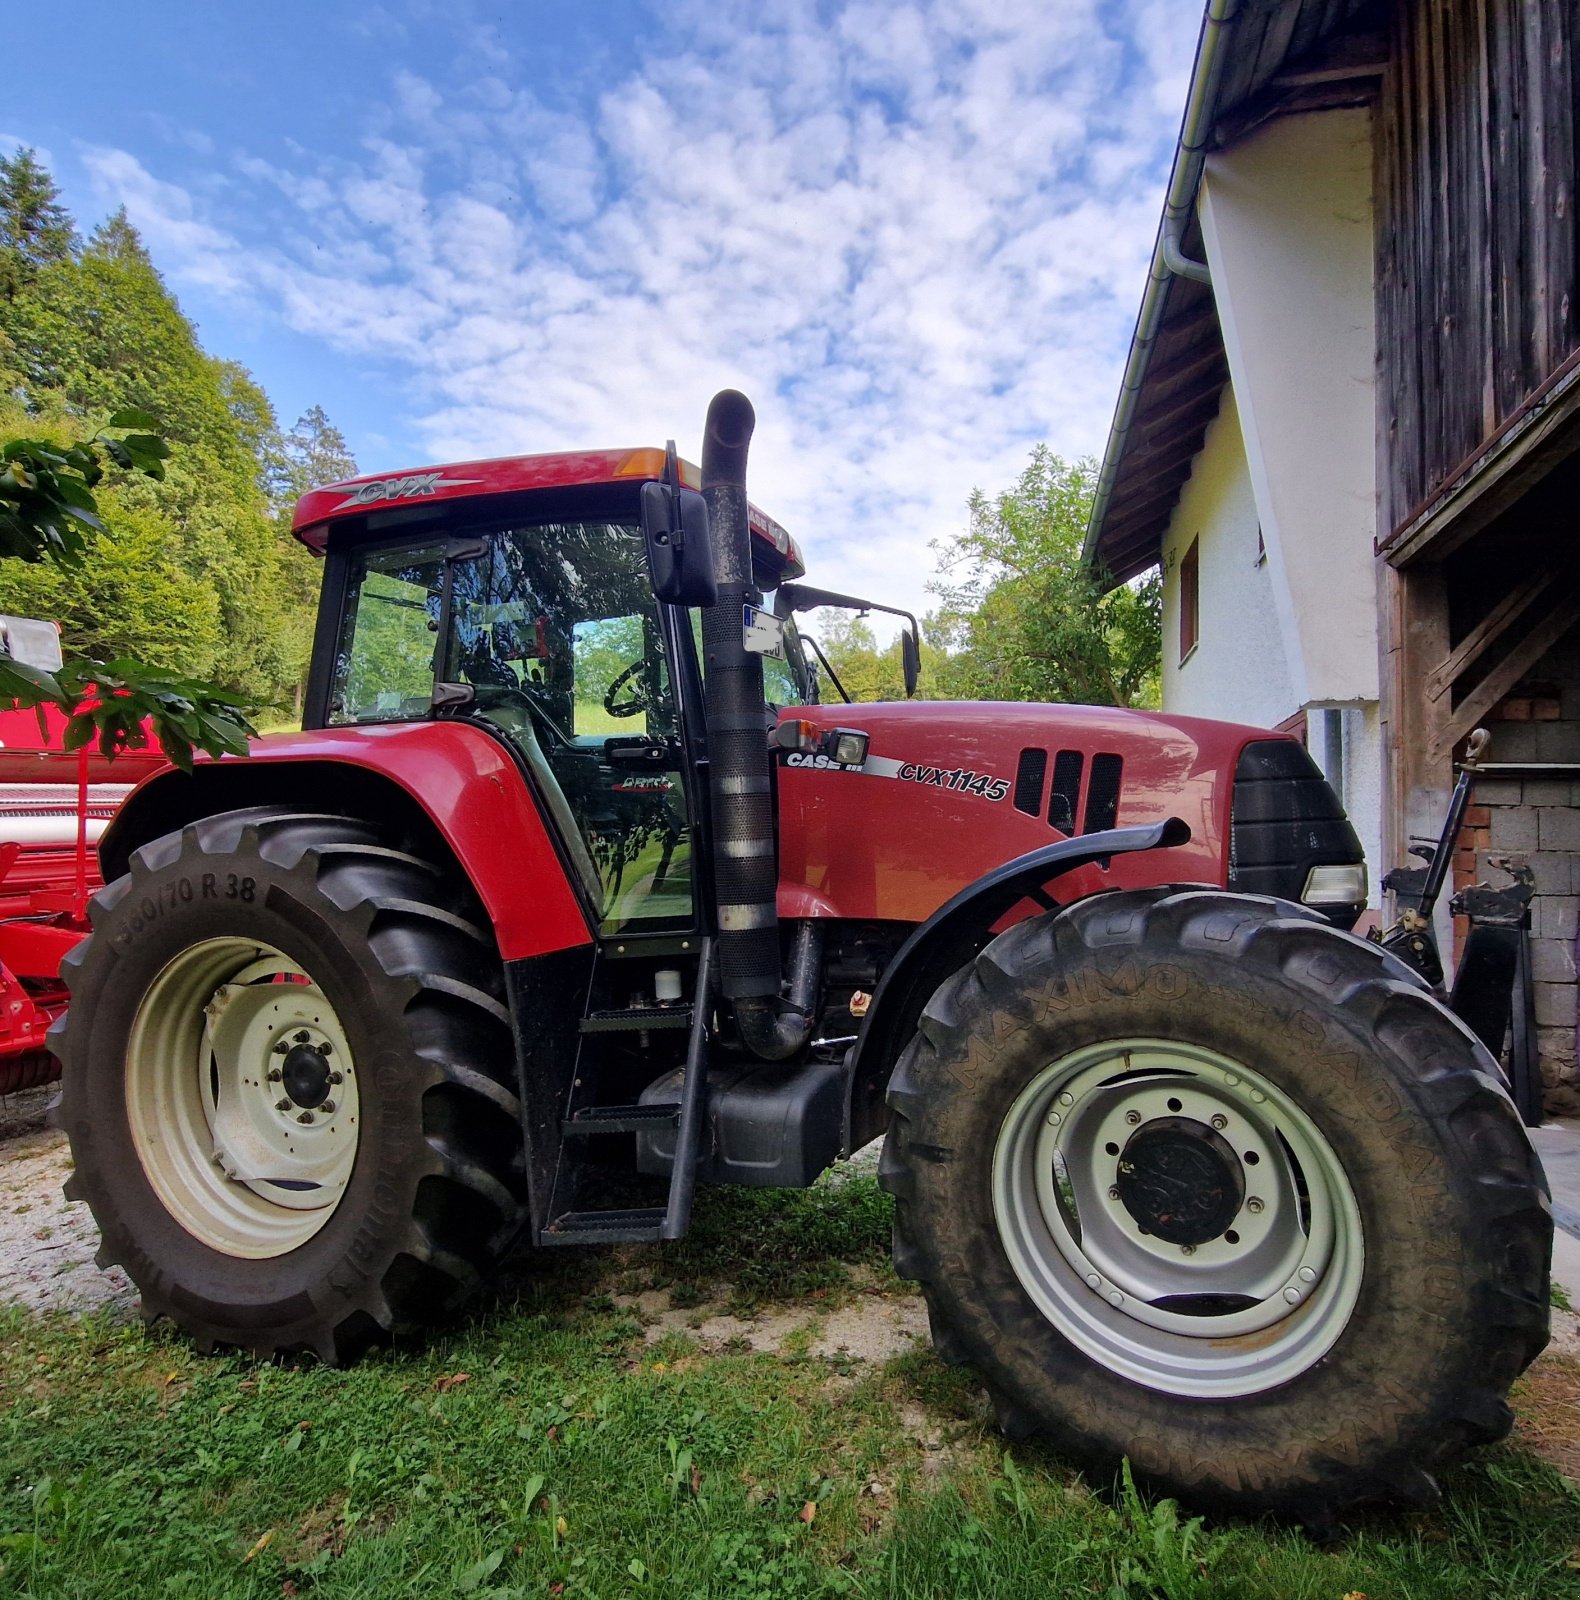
(914, 233)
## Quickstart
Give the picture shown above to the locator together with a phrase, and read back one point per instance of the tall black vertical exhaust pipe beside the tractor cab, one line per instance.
(746, 862)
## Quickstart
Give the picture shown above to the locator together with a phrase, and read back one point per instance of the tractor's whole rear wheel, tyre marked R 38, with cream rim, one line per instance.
(289, 1086)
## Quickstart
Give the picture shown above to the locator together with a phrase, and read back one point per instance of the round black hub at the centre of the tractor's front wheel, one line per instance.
(1181, 1182)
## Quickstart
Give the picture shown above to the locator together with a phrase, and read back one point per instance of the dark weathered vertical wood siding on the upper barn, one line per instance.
(1477, 247)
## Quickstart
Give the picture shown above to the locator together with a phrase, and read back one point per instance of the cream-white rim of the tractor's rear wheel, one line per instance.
(242, 1098)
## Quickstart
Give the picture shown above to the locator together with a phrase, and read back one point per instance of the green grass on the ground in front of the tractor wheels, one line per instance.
(573, 1455)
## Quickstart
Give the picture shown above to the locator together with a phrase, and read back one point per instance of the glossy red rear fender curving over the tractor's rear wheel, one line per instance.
(450, 786)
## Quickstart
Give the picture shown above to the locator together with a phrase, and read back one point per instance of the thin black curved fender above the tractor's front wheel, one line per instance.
(957, 932)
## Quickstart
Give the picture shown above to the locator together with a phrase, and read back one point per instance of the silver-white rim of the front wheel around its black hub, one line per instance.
(1234, 1314)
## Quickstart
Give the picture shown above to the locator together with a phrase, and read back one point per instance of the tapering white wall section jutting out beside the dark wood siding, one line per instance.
(1288, 223)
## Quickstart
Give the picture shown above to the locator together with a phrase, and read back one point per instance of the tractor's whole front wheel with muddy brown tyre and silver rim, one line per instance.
(1199, 1182)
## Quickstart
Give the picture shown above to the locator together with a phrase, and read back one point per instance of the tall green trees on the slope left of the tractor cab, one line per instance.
(196, 567)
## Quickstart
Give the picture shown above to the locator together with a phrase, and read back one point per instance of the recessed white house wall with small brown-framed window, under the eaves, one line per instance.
(1237, 671)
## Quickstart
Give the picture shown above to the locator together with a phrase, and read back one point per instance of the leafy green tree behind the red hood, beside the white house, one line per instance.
(1026, 618)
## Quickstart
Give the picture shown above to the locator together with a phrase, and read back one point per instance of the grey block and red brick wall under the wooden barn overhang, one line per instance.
(1536, 818)
